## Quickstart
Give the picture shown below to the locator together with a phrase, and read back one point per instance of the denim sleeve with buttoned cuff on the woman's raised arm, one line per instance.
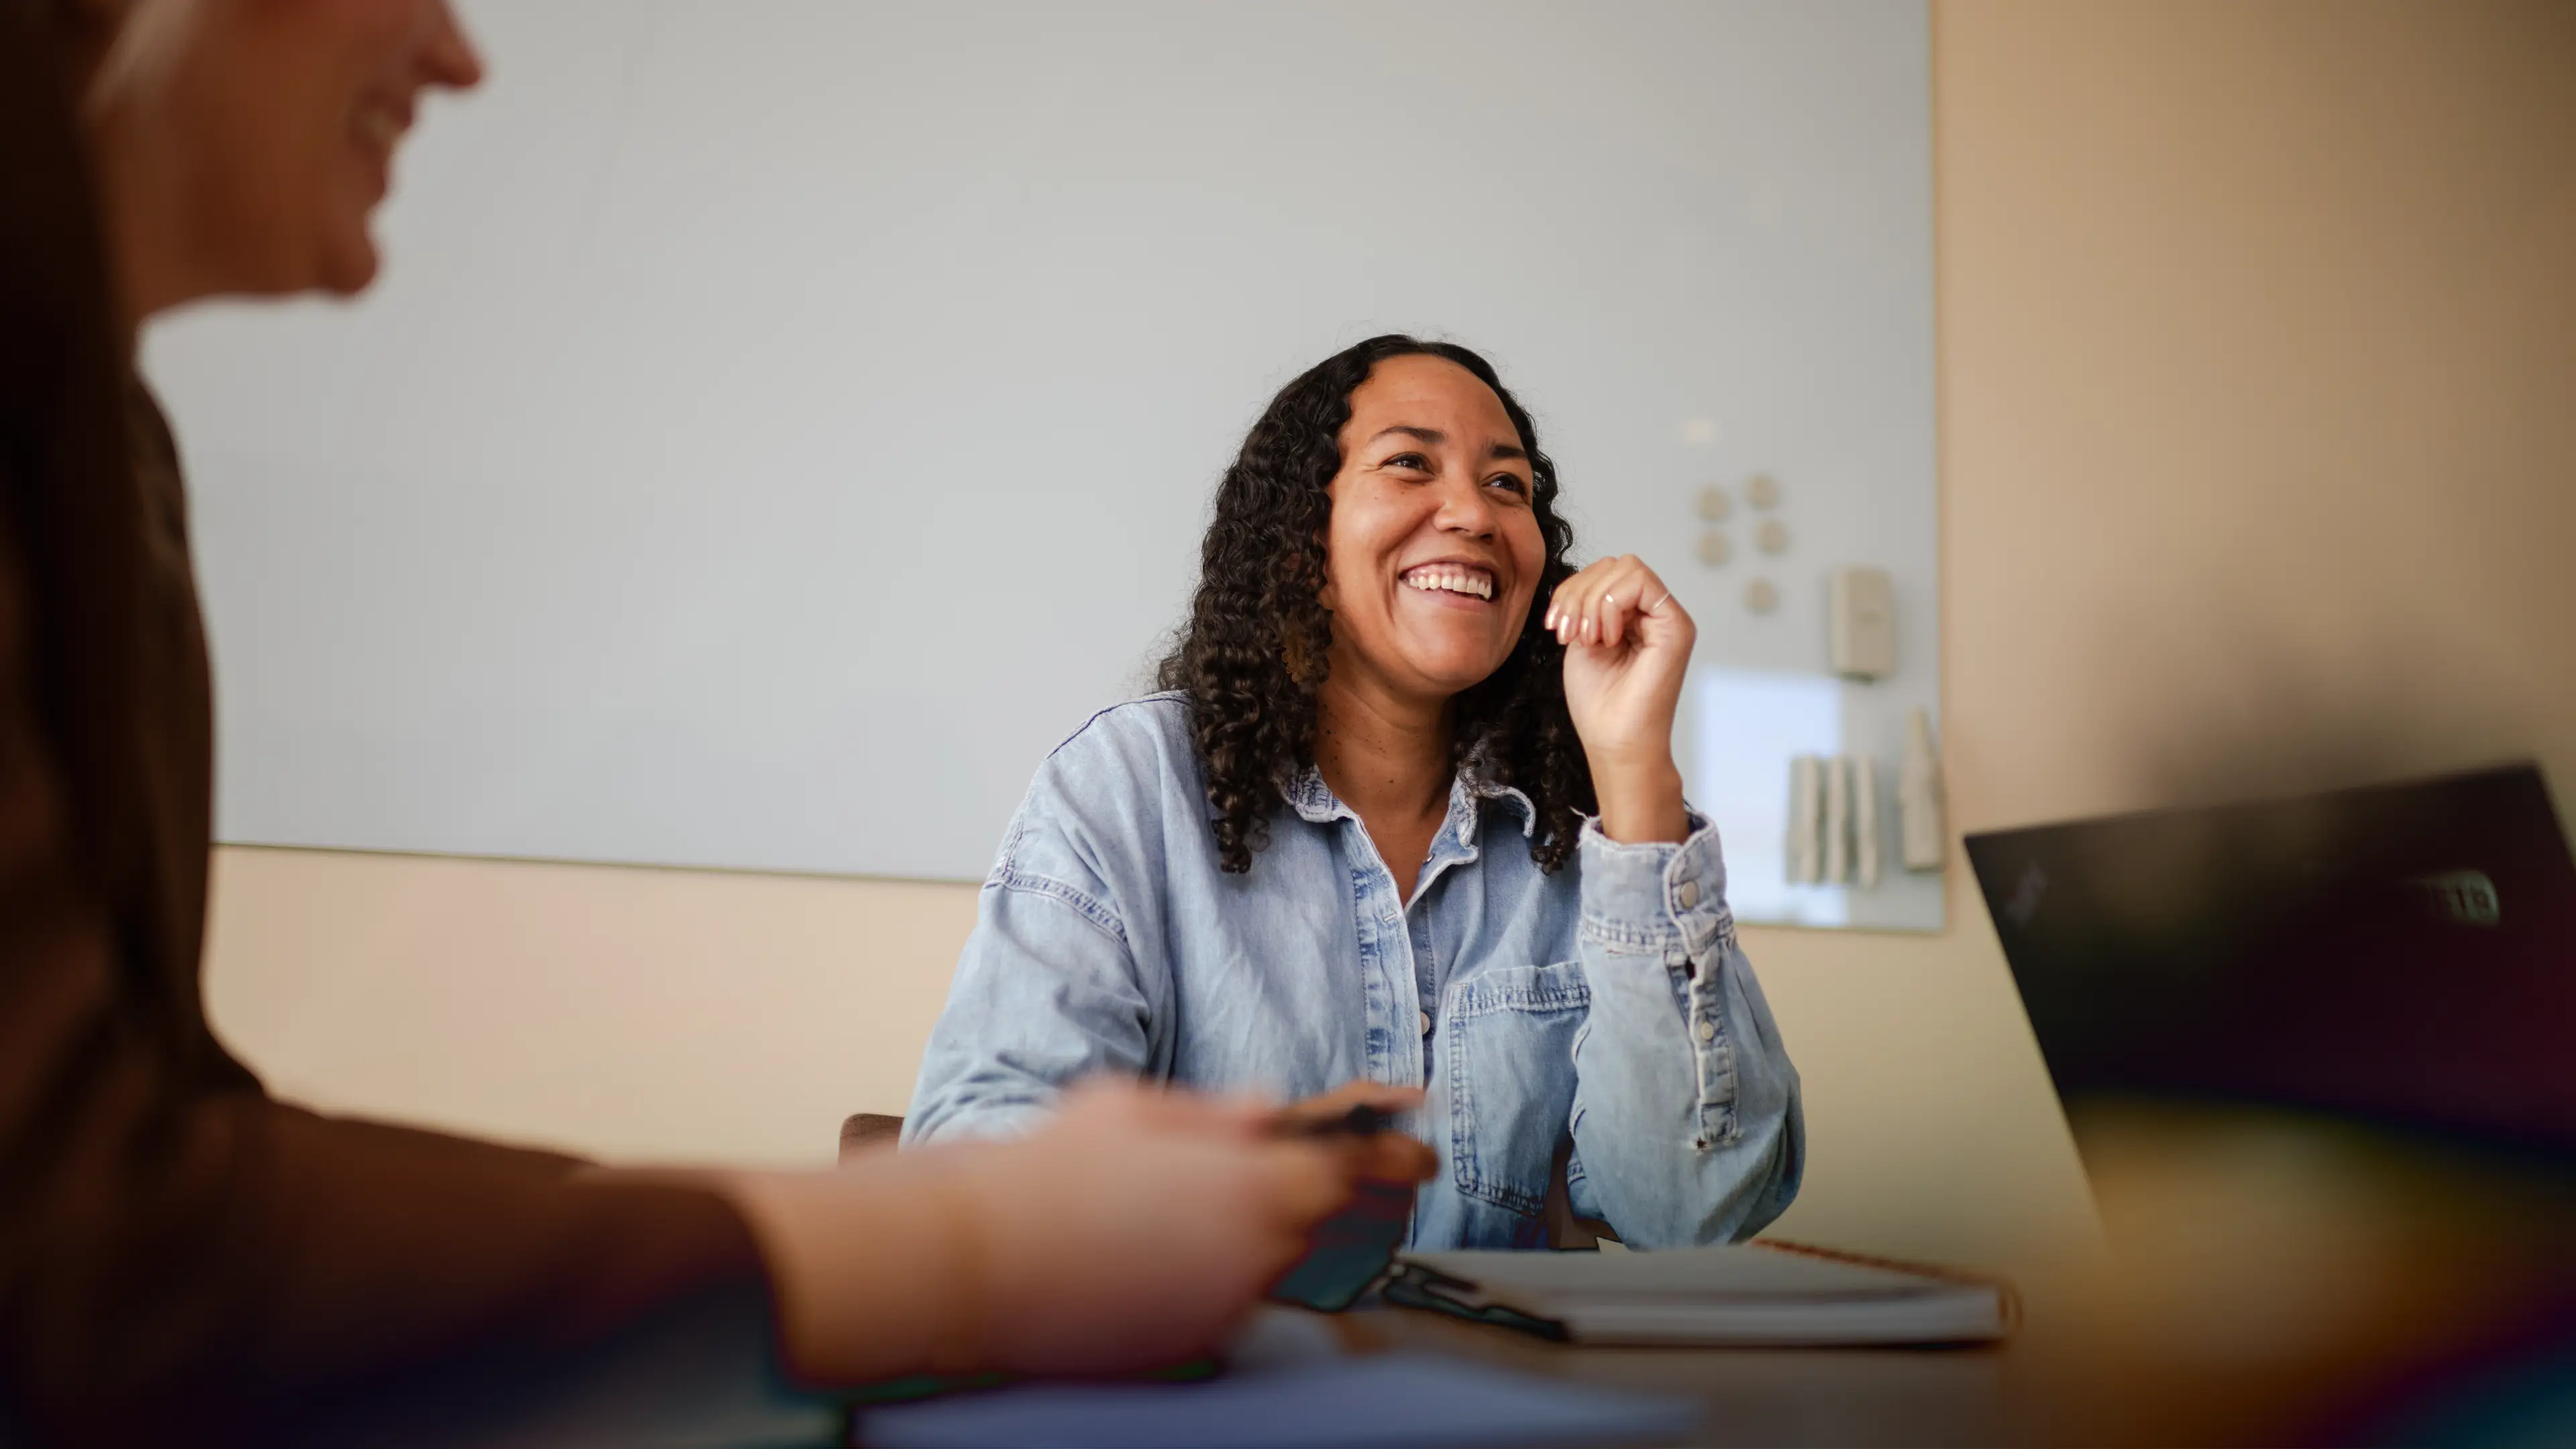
(1686, 1105)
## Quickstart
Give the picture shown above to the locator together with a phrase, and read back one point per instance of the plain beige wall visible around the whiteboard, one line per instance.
(2258, 396)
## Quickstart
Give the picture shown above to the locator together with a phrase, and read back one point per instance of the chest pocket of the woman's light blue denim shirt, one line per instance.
(1511, 1056)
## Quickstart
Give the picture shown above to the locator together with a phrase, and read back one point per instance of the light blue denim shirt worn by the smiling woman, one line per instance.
(1606, 1002)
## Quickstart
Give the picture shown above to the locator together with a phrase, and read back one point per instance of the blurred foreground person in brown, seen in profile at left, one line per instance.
(176, 1249)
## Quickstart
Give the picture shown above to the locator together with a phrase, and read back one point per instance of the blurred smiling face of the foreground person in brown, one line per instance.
(272, 128)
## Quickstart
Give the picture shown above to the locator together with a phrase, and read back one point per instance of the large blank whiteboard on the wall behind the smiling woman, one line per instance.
(779, 422)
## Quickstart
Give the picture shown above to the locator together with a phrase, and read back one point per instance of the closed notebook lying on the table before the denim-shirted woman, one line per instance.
(1743, 1296)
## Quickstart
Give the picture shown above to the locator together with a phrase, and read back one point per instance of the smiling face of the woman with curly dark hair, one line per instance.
(1434, 548)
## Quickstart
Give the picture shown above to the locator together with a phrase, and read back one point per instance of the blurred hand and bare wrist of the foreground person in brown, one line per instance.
(1132, 1231)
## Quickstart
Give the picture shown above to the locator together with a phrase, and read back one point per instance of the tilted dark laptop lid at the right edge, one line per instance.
(2402, 955)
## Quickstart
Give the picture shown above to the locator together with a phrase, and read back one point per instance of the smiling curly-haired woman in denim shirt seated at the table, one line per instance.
(1248, 878)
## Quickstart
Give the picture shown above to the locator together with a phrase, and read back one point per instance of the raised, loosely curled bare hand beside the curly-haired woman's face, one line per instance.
(1627, 651)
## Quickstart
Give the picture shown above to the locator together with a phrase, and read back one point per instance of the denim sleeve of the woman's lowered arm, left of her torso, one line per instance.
(1045, 994)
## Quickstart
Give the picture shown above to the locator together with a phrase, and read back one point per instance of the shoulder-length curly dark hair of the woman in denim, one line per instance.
(1258, 638)
